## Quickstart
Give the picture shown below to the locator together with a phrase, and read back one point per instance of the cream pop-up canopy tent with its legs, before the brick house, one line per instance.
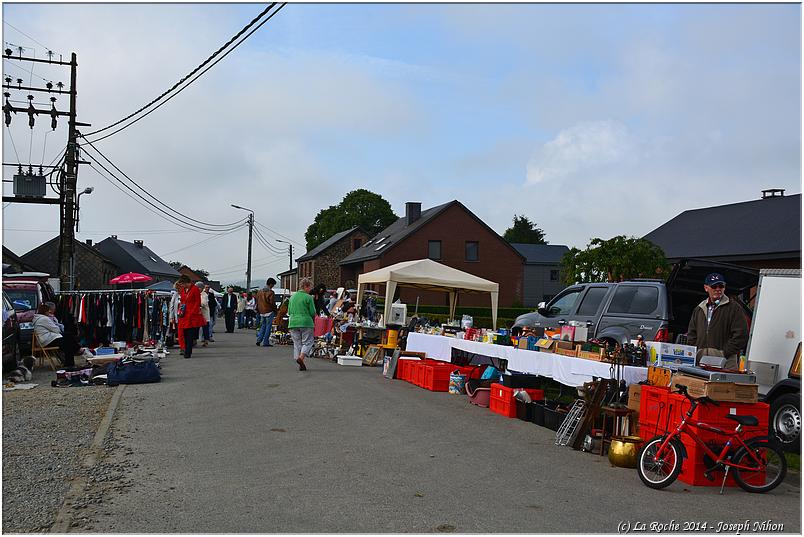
(432, 276)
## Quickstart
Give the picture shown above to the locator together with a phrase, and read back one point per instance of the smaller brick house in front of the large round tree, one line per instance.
(321, 264)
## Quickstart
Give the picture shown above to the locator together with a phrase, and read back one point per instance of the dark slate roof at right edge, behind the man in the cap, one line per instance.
(769, 226)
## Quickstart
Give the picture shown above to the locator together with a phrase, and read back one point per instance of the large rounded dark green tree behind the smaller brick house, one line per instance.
(357, 208)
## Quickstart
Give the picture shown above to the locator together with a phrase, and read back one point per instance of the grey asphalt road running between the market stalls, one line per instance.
(236, 439)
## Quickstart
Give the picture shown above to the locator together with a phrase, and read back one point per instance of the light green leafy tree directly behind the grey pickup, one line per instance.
(617, 259)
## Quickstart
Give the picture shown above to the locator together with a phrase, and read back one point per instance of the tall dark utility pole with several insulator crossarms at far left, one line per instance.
(68, 175)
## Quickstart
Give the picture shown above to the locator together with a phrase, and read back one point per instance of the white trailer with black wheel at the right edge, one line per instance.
(774, 351)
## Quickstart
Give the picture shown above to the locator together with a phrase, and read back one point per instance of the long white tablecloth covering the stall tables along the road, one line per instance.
(564, 369)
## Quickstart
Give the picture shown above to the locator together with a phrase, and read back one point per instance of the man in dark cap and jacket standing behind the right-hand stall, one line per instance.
(718, 326)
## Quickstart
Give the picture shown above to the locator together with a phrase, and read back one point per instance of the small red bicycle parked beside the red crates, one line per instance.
(759, 464)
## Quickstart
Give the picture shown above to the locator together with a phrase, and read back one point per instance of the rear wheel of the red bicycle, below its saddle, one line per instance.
(767, 473)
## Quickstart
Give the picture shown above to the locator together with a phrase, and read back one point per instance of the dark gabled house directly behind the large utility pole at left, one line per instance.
(92, 269)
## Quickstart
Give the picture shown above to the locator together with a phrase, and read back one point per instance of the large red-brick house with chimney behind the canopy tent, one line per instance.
(450, 234)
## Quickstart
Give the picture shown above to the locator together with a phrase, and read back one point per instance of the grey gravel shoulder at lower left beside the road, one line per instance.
(46, 432)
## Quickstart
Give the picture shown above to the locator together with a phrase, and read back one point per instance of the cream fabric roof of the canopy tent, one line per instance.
(428, 274)
